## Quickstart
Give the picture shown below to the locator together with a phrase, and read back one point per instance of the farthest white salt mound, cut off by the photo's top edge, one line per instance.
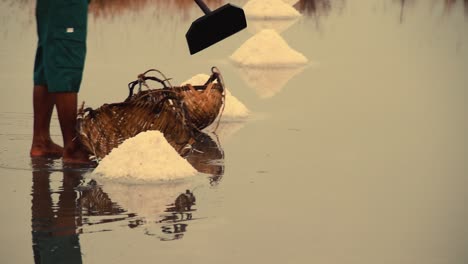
(269, 9)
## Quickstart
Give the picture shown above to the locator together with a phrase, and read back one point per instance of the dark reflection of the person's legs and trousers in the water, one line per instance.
(54, 227)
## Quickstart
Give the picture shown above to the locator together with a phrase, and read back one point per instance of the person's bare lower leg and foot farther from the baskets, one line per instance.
(43, 105)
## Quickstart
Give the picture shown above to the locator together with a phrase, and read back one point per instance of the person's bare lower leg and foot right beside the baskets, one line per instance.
(66, 103)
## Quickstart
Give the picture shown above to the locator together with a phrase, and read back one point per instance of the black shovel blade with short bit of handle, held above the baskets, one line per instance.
(214, 26)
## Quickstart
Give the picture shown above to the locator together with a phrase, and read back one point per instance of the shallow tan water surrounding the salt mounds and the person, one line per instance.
(359, 157)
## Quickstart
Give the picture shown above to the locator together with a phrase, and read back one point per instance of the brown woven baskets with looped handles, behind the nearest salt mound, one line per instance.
(175, 111)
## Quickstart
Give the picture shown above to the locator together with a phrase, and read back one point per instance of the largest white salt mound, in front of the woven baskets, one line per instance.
(147, 156)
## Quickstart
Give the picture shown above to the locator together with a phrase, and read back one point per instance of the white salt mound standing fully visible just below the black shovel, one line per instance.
(267, 49)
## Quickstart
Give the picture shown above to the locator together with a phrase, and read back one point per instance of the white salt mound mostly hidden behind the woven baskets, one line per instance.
(234, 108)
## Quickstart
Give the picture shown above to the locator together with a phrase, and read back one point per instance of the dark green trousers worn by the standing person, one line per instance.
(61, 49)
